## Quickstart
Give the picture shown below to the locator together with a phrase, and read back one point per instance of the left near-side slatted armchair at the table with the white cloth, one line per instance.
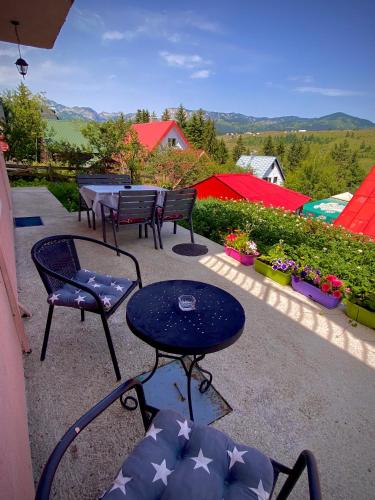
(134, 207)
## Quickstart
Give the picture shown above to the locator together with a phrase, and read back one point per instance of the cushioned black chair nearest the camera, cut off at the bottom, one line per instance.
(181, 460)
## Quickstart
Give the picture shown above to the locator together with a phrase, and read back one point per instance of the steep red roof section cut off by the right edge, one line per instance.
(359, 214)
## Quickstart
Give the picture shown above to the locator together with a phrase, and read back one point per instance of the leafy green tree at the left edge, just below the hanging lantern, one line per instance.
(24, 128)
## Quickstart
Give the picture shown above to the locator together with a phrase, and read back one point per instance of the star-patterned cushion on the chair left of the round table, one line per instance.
(109, 288)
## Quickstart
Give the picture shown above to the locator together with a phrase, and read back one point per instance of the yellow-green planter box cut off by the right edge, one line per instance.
(360, 306)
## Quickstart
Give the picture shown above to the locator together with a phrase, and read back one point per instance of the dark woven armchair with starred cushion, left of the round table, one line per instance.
(68, 285)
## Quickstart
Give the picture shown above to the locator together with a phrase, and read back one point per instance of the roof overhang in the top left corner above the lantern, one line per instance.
(40, 21)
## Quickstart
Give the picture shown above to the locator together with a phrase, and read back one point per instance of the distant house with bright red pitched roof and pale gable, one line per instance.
(166, 133)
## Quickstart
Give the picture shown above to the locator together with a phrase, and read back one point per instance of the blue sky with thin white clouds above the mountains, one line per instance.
(258, 58)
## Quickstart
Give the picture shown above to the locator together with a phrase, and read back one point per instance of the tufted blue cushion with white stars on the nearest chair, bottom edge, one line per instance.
(181, 460)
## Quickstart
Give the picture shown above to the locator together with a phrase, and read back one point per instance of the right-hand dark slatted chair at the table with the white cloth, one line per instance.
(178, 205)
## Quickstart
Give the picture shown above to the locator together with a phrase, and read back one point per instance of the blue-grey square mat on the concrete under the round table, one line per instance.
(167, 389)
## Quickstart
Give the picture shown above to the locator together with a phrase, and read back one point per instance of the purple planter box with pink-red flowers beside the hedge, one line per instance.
(326, 290)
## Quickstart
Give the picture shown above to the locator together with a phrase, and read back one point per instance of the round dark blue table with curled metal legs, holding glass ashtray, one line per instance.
(153, 315)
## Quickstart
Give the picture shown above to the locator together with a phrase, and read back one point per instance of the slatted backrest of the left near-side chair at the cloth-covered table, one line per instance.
(134, 205)
